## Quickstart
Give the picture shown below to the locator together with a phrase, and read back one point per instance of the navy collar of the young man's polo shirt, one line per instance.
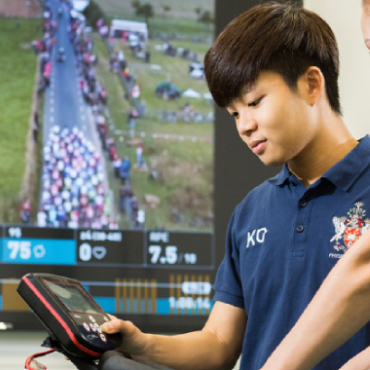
(344, 173)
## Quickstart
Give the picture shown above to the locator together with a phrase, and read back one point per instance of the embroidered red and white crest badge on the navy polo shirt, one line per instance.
(350, 228)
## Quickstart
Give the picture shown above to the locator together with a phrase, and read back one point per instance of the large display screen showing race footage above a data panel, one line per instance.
(108, 178)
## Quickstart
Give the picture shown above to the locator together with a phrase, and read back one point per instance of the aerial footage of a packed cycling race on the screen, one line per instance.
(107, 120)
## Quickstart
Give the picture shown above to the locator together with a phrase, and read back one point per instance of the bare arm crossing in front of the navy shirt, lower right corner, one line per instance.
(338, 310)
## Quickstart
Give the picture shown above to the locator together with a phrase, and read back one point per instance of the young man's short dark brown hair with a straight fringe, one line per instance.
(282, 38)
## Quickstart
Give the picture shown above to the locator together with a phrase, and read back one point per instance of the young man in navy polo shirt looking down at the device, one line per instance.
(275, 69)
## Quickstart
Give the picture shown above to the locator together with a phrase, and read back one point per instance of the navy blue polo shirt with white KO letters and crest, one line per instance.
(282, 241)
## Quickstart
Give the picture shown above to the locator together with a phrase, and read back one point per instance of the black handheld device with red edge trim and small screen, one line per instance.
(70, 314)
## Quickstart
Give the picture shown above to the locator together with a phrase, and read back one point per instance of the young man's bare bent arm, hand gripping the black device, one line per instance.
(216, 346)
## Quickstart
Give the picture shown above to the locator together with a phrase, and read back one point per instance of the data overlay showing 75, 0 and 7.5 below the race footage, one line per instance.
(165, 273)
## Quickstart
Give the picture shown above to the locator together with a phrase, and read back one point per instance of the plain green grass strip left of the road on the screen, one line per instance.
(17, 77)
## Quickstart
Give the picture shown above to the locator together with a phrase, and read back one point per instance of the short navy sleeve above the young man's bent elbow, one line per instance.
(228, 285)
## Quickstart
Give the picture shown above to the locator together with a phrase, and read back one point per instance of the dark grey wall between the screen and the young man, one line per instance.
(237, 169)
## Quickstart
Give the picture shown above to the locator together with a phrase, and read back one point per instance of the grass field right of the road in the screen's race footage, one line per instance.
(187, 166)
